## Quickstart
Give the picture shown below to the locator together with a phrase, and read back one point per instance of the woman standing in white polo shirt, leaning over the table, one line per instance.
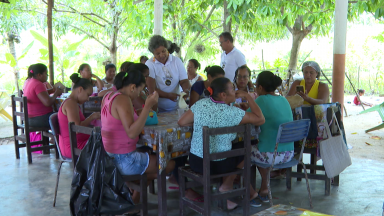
(166, 73)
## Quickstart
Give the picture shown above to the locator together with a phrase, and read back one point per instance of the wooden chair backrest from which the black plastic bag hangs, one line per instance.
(73, 129)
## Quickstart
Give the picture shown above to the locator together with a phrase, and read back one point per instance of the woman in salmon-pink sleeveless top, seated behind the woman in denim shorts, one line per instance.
(70, 112)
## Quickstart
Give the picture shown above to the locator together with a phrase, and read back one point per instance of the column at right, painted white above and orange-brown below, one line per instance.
(339, 48)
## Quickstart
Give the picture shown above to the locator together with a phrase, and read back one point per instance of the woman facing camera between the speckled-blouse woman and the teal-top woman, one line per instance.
(241, 81)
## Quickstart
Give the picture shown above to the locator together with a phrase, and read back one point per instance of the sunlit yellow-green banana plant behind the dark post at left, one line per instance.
(61, 55)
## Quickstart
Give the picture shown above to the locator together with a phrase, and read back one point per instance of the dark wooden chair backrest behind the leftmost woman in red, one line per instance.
(21, 114)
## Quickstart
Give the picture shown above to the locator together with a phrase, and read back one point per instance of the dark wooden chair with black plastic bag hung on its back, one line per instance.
(130, 179)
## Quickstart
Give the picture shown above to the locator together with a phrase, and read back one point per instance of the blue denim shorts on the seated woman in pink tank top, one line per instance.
(132, 163)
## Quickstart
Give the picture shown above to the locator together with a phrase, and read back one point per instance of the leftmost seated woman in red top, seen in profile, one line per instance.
(39, 101)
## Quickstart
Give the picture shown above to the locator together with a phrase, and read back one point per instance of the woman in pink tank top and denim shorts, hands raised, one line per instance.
(121, 127)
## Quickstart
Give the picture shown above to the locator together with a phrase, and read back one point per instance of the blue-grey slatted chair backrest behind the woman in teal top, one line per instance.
(293, 131)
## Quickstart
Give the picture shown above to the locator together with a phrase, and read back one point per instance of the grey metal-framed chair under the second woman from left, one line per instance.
(55, 128)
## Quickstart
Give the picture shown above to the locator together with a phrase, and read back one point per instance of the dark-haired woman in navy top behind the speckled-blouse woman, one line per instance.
(199, 89)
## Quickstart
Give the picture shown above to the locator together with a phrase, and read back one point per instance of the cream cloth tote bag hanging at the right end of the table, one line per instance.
(334, 152)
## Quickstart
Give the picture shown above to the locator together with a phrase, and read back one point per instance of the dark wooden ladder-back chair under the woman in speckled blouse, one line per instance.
(206, 178)
